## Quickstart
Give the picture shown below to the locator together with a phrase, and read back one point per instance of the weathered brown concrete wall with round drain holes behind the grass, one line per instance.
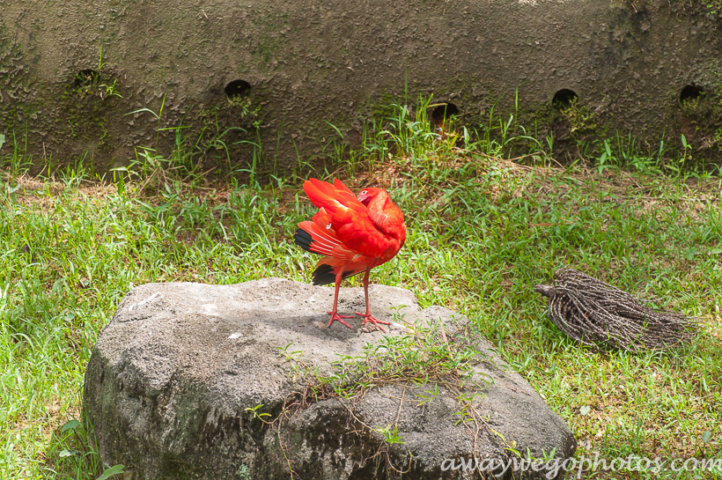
(309, 61)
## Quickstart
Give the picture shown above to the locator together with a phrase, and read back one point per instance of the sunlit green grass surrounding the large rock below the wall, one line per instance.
(482, 232)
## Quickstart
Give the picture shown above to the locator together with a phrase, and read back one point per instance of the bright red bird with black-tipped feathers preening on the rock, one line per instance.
(354, 235)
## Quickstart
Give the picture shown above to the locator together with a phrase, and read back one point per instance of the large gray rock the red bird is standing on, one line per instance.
(172, 375)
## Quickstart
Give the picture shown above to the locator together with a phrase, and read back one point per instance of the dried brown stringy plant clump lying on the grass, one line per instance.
(600, 315)
